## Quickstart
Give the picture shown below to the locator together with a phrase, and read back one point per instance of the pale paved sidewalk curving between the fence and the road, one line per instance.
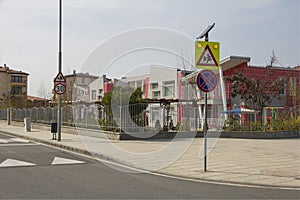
(243, 161)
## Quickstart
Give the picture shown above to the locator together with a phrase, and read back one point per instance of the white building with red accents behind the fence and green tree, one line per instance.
(172, 93)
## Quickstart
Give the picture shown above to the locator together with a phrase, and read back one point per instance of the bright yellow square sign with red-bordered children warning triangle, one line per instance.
(207, 55)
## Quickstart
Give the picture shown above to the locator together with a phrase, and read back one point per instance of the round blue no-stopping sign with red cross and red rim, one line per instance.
(206, 80)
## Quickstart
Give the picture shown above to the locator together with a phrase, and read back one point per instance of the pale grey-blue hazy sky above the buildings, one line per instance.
(98, 28)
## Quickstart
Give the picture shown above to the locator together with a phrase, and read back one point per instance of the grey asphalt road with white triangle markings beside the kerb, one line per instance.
(29, 170)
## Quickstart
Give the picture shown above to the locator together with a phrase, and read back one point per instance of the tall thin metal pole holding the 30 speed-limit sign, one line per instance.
(59, 70)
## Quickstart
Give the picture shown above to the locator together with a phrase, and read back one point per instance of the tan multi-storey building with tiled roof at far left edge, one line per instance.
(13, 87)
